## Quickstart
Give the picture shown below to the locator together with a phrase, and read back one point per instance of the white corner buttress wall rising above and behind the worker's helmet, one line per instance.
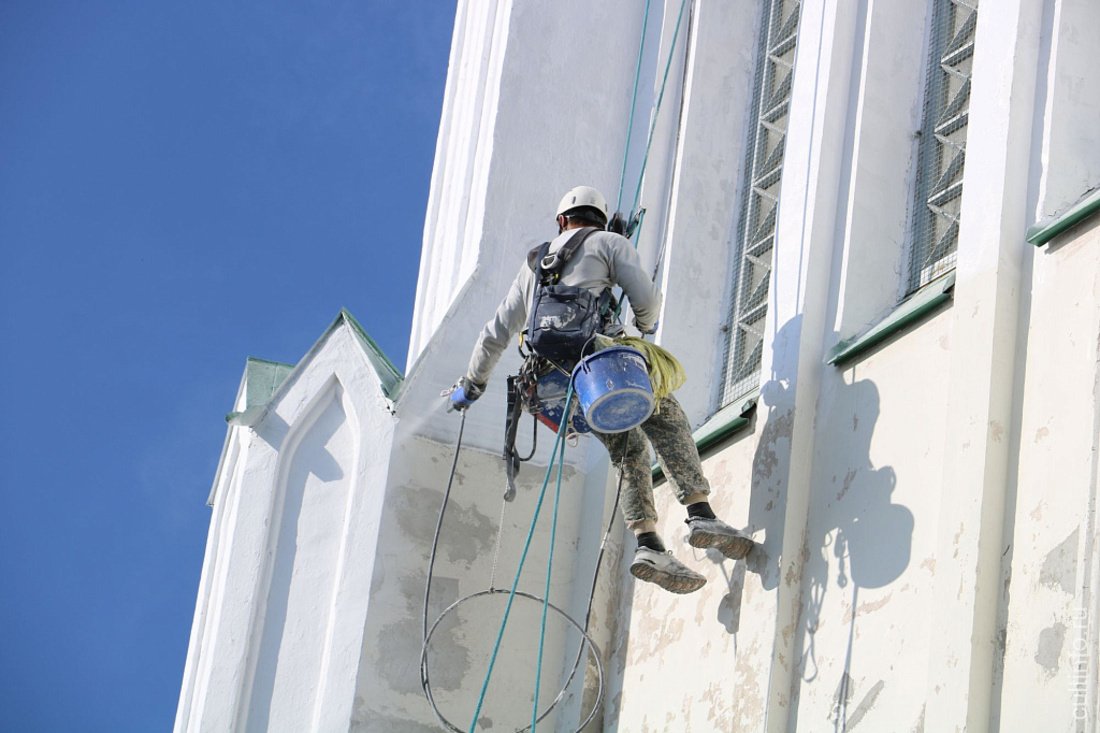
(536, 103)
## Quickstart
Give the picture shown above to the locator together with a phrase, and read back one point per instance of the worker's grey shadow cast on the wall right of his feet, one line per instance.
(852, 517)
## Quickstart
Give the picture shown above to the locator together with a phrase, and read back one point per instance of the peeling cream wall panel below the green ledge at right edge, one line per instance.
(1051, 637)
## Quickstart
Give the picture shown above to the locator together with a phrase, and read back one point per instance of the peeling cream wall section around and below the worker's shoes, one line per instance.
(696, 662)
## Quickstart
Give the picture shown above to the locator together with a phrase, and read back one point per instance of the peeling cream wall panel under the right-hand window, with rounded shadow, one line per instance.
(871, 549)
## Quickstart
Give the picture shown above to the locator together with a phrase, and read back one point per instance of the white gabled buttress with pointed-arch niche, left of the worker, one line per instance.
(288, 576)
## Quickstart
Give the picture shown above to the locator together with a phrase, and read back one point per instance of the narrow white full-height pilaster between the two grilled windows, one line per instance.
(810, 205)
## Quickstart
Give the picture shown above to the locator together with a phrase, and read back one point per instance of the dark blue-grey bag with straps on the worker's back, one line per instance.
(564, 319)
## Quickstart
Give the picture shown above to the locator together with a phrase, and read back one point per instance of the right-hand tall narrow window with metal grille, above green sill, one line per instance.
(943, 141)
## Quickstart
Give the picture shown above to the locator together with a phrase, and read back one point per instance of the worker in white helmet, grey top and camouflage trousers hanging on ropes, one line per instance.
(600, 260)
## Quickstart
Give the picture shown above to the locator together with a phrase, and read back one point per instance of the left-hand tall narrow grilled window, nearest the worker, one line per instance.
(764, 168)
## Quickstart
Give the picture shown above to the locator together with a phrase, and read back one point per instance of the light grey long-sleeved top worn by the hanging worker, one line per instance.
(604, 260)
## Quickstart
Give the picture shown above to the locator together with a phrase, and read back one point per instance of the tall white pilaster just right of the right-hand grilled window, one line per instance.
(985, 324)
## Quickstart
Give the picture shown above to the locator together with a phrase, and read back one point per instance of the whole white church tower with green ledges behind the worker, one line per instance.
(877, 228)
